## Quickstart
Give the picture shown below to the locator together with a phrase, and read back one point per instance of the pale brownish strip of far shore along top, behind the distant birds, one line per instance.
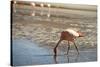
(63, 6)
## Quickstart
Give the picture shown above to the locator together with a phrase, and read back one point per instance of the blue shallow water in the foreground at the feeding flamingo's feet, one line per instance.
(26, 52)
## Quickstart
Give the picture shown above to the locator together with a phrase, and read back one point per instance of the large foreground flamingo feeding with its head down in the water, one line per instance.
(69, 35)
